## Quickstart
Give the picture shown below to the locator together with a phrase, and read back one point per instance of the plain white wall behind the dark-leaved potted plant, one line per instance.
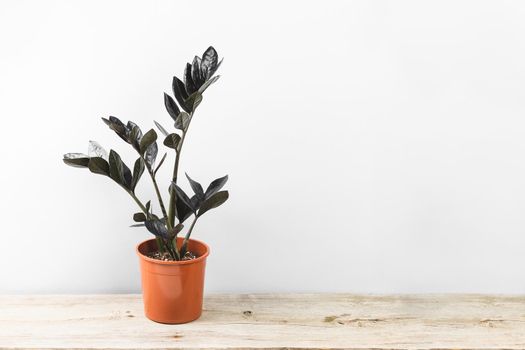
(371, 146)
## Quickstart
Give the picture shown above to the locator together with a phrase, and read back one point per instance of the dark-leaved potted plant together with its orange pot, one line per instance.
(172, 264)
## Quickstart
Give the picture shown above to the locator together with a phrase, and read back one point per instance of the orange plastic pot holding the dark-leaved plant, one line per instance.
(172, 290)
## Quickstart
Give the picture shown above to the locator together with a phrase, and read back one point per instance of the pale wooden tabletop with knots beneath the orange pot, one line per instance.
(268, 321)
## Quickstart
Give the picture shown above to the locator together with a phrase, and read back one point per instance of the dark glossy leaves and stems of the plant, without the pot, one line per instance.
(169, 223)
